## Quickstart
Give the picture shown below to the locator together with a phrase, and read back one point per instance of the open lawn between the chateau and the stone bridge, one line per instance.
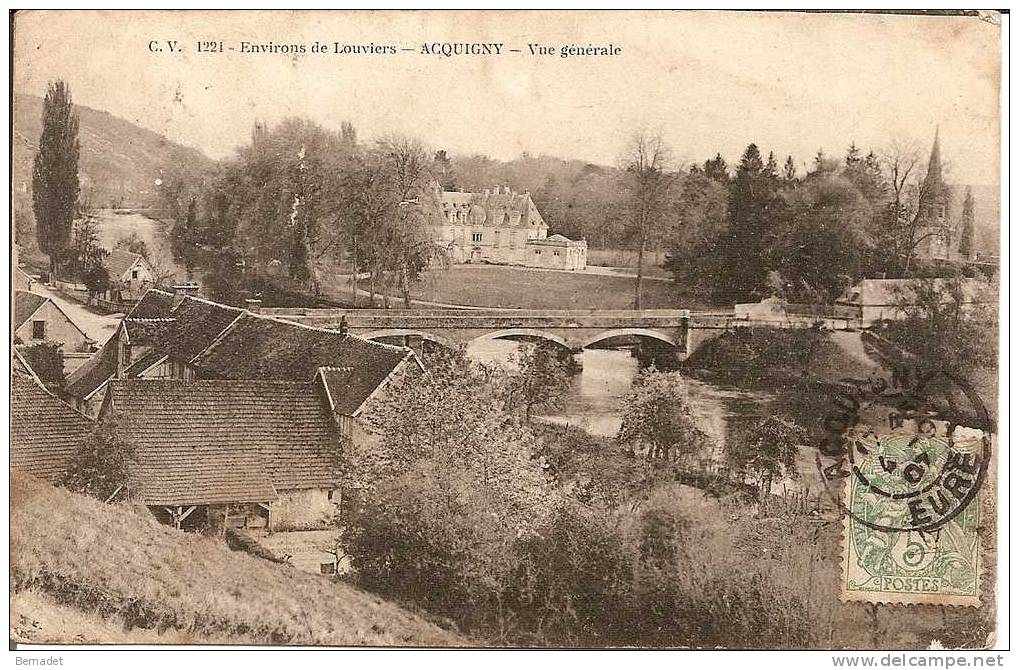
(502, 287)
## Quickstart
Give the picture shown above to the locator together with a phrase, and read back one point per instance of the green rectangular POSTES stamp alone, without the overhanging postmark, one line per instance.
(911, 532)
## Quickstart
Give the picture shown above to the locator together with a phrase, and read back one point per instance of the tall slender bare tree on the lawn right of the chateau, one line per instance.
(648, 183)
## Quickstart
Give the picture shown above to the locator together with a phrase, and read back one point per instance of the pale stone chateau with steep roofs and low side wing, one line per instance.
(503, 228)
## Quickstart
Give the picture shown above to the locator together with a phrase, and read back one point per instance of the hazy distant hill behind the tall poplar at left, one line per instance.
(121, 161)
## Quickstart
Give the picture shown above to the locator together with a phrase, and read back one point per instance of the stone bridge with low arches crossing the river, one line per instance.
(572, 329)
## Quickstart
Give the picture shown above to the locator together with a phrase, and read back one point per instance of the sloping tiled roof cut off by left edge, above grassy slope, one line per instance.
(45, 433)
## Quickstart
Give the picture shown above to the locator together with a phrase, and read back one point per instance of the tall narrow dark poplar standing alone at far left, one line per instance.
(55, 176)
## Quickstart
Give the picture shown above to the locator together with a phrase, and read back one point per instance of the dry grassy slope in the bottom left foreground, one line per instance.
(85, 572)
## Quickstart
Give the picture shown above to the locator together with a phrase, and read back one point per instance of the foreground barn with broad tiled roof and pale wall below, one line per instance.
(230, 454)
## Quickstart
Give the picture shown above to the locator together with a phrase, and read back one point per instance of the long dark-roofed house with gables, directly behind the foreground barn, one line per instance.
(183, 338)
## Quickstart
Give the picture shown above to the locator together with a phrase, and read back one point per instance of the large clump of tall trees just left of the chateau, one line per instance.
(299, 201)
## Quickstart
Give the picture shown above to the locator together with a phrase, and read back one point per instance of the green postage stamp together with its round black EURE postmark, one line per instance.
(915, 459)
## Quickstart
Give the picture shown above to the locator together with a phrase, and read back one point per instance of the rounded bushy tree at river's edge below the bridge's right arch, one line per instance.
(658, 418)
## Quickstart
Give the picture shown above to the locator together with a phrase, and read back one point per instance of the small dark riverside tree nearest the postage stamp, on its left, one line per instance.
(766, 450)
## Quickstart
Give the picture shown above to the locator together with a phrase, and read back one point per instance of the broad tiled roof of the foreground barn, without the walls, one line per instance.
(226, 441)
